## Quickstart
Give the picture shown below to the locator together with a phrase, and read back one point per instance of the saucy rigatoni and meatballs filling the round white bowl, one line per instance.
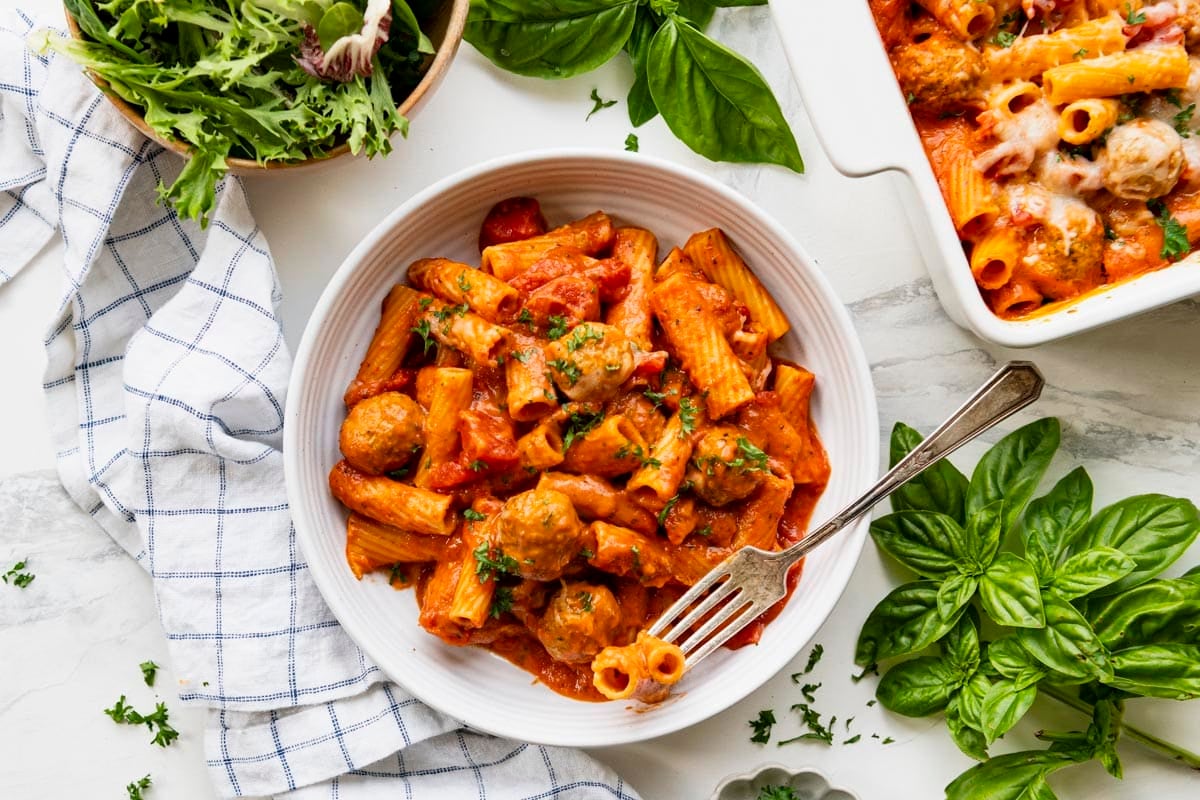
(553, 447)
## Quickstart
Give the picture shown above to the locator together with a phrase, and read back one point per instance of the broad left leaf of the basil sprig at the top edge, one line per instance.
(550, 39)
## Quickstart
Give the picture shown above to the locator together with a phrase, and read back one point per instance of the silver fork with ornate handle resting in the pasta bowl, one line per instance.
(753, 580)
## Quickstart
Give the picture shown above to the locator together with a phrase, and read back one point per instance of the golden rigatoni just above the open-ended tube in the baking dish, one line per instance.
(1145, 69)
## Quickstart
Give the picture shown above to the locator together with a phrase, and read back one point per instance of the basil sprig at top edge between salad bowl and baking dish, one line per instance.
(711, 98)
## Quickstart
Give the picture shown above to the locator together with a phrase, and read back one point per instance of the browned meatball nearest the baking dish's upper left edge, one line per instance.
(940, 74)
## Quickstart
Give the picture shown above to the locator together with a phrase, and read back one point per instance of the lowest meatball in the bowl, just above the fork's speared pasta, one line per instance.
(580, 622)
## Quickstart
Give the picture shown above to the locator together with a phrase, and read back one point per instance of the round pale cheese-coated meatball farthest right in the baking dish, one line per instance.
(1143, 160)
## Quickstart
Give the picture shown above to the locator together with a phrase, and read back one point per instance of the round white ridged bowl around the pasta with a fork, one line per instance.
(471, 684)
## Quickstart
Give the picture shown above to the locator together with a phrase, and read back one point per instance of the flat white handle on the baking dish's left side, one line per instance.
(848, 85)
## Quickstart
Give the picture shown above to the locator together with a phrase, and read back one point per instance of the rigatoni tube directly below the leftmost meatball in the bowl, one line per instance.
(393, 503)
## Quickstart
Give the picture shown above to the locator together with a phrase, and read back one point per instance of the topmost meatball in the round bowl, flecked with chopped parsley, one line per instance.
(591, 363)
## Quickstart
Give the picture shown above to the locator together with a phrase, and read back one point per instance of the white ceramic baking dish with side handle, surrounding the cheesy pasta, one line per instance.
(861, 118)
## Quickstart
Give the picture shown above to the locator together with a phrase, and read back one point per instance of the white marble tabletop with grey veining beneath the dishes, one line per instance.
(71, 642)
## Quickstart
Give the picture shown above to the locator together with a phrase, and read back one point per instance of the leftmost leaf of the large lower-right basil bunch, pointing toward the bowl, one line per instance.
(904, 622)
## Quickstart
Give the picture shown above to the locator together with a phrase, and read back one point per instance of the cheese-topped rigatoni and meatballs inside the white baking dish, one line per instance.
(1061, 134)
